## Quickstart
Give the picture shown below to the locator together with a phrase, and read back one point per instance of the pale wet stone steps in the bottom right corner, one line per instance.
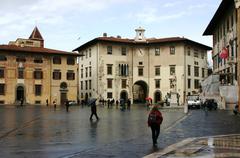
(205, 147)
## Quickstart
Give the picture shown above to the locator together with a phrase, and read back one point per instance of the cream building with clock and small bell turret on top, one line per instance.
(115, 67)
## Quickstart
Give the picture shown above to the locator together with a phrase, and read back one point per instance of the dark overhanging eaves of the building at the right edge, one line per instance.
(221, 11)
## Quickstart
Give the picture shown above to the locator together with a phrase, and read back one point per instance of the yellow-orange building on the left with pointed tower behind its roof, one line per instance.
(33, 73)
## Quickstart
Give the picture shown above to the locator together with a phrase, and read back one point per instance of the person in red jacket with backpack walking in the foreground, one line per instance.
(154, 121)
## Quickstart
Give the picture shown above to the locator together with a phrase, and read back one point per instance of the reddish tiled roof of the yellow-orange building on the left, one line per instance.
(39, 50)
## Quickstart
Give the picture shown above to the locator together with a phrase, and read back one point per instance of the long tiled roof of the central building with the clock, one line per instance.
(133, 42)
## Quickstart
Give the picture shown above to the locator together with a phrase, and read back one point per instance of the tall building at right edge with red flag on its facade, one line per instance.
(223, 28)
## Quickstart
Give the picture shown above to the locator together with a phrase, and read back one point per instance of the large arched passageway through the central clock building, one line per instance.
(140, 92)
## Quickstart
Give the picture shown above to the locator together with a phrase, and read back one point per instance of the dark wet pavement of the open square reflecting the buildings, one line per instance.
(43, 132)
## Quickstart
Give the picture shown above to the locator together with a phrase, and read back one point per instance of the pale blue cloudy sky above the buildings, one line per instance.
(66, 24)
